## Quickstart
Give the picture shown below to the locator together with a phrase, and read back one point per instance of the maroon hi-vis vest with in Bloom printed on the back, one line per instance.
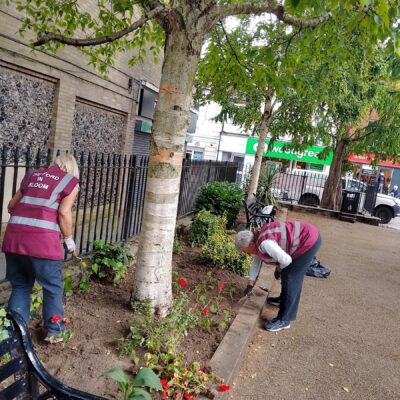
(33, 228)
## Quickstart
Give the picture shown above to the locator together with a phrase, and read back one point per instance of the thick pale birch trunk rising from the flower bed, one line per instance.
(153, 276)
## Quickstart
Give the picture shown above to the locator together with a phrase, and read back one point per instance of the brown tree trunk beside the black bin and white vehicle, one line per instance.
(332, 195)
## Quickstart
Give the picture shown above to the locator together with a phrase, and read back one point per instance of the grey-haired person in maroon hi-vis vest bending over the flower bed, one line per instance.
(291, 244)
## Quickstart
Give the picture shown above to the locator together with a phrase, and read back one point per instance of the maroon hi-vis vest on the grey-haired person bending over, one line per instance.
(294, 237)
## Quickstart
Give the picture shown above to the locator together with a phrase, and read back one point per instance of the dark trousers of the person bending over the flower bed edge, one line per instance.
(292, 282)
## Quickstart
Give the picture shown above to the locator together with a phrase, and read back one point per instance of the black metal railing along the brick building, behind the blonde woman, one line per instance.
(110, 201)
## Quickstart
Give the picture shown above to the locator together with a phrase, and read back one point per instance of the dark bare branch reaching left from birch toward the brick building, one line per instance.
(47, 37)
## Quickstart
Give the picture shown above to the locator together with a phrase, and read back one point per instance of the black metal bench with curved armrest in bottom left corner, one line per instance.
(22, 375)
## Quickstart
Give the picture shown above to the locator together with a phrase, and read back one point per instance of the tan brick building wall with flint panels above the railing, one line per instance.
(68, 77)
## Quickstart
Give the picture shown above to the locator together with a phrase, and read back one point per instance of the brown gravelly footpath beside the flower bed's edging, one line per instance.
(345, 343)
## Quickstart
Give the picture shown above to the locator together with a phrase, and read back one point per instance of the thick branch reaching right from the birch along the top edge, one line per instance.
(269, 6)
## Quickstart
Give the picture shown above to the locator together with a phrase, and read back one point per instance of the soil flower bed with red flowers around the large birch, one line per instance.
(101, 317)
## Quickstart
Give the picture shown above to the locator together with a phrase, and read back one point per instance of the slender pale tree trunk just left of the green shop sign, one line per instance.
(255, 174)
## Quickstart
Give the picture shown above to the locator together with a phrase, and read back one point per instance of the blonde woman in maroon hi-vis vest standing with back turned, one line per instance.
(41, 211)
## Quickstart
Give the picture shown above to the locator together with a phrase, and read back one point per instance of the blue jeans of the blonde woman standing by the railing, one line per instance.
(22, 271)
